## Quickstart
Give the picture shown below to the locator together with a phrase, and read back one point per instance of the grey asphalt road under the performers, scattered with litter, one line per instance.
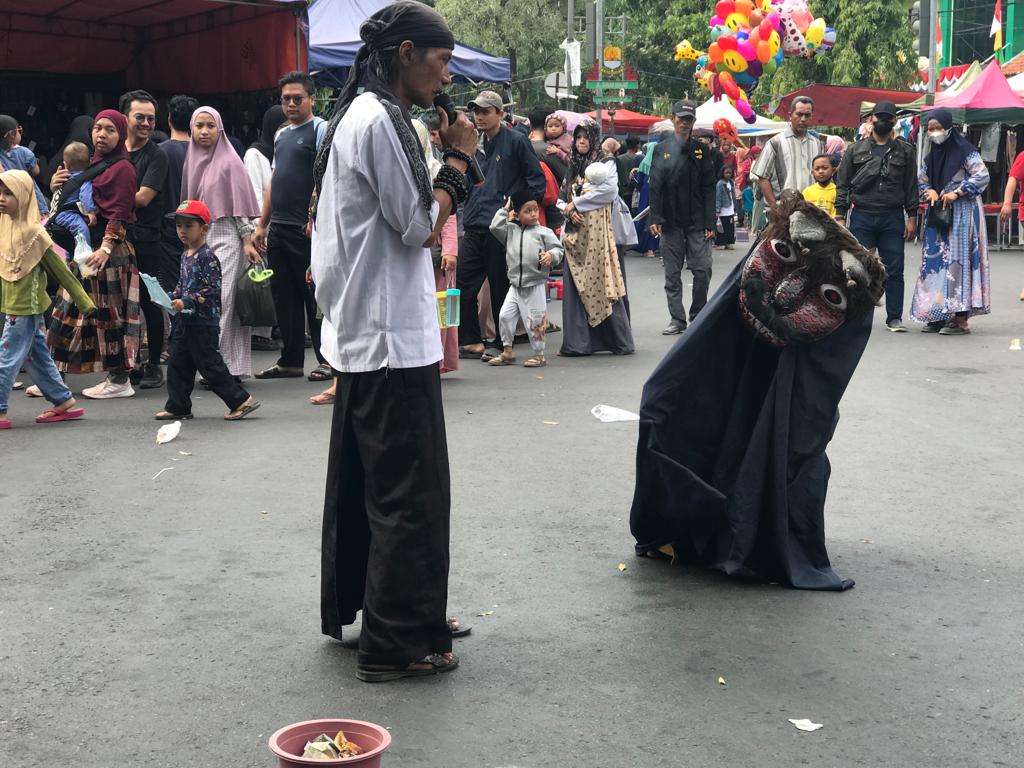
(175, 622)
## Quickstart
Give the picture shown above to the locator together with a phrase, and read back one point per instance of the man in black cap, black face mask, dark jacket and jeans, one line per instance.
(878, 180)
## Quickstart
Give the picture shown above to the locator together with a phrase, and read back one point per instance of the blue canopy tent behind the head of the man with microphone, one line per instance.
(334, 41)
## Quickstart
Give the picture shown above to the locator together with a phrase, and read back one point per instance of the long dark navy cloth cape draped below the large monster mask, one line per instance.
(732, 465)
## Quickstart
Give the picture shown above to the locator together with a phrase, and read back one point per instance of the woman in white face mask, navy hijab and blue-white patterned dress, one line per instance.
(954, 284)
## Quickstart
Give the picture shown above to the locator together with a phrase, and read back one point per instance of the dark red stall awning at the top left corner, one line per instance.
(197, 47)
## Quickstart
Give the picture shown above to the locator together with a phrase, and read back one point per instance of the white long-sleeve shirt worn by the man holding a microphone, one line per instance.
(375, 281)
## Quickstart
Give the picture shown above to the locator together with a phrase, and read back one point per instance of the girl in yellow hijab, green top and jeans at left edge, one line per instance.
(27, 257)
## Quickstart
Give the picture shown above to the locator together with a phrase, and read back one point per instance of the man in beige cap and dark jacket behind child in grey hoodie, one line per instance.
(509, 164)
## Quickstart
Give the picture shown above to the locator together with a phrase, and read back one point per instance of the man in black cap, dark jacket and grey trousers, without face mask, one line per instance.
(682, 214)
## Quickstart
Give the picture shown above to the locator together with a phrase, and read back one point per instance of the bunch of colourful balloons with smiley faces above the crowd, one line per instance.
(749, 39)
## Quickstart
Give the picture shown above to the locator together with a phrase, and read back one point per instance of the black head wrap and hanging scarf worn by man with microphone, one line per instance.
(381, 35)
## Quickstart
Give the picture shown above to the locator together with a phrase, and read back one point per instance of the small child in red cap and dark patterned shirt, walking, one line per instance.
(197, 325)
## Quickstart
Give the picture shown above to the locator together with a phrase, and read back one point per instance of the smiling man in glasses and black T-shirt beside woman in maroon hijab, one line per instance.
(151, 175)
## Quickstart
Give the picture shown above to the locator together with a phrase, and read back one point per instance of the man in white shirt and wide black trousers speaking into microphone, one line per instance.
(387, 513)
